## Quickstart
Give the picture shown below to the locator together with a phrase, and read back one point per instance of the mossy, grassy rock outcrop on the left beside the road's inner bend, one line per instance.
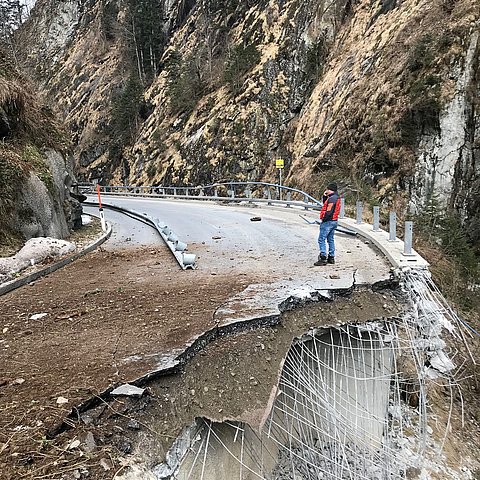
(35, 177)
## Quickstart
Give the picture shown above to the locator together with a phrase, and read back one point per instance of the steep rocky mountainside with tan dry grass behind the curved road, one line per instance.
(382, 94)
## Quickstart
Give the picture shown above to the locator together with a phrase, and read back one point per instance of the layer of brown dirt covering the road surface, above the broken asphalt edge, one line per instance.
(100, 310)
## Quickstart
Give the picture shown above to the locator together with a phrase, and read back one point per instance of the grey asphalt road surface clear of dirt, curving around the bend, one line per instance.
(279, 250)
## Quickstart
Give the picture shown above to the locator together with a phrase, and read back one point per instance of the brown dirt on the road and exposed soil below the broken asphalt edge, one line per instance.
(109, 317)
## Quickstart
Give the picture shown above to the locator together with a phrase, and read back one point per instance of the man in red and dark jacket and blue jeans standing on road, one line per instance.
(329, 219)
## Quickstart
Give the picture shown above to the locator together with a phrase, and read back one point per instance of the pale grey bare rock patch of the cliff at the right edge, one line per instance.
(448, 159)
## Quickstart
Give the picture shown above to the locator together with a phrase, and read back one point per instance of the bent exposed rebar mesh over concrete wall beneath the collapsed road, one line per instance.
(351, 403)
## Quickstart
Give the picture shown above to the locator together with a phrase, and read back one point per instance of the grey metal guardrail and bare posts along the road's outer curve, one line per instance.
(399, 253)
